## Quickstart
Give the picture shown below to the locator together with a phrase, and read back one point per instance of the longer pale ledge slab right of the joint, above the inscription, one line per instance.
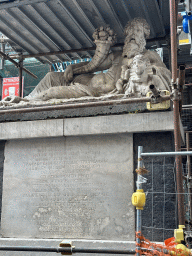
(141, 122)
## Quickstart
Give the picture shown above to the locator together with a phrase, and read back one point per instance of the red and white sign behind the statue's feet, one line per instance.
(11, 86)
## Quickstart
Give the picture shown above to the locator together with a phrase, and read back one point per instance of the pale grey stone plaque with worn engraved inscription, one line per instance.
(73, 187)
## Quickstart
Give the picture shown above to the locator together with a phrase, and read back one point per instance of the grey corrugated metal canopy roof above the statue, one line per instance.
(36, 26)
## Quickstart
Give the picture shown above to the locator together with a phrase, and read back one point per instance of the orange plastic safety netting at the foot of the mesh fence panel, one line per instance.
(149, 248)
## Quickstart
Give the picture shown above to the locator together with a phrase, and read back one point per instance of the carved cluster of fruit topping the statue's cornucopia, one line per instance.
(105, 34)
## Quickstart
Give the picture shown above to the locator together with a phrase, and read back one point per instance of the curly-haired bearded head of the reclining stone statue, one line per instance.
(136, 32)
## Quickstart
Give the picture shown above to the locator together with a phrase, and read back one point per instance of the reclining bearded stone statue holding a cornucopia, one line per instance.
(124, 76)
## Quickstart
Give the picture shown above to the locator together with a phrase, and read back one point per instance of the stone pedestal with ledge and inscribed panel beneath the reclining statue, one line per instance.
(73, 178)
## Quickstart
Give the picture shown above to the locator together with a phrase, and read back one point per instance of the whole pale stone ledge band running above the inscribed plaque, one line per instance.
(130, 123)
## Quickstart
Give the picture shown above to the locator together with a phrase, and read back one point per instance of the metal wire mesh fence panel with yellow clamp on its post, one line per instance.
(164, 230)
